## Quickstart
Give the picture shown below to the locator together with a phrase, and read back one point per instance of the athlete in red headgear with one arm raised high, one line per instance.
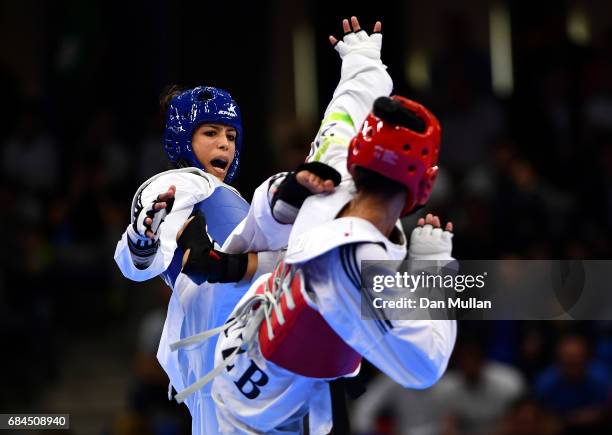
(302, 325)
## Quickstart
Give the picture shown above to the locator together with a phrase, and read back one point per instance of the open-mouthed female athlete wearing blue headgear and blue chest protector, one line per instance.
(202, 139)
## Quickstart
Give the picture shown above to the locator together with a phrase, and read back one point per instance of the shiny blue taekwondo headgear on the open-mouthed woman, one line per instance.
(187, 111)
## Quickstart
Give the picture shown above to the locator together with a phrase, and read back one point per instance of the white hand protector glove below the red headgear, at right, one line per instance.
(429, 243)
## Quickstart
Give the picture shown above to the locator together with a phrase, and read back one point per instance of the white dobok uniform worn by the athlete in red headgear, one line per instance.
(266, 387)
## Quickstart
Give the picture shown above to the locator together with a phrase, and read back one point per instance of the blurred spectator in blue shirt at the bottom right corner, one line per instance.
(576, 388)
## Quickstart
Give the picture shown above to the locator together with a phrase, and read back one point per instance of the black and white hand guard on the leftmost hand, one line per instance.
(143, 248)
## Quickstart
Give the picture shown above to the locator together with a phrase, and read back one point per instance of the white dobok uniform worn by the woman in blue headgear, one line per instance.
(192, 308)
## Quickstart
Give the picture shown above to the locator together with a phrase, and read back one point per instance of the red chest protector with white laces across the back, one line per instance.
(303, 343)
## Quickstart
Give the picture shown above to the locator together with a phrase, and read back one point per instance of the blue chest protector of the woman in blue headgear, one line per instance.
(224, 210)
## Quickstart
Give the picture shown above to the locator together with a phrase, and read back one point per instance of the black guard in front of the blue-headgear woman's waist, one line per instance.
(206, 263)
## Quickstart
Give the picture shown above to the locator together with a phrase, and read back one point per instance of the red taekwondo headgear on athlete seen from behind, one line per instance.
(400, 139)
